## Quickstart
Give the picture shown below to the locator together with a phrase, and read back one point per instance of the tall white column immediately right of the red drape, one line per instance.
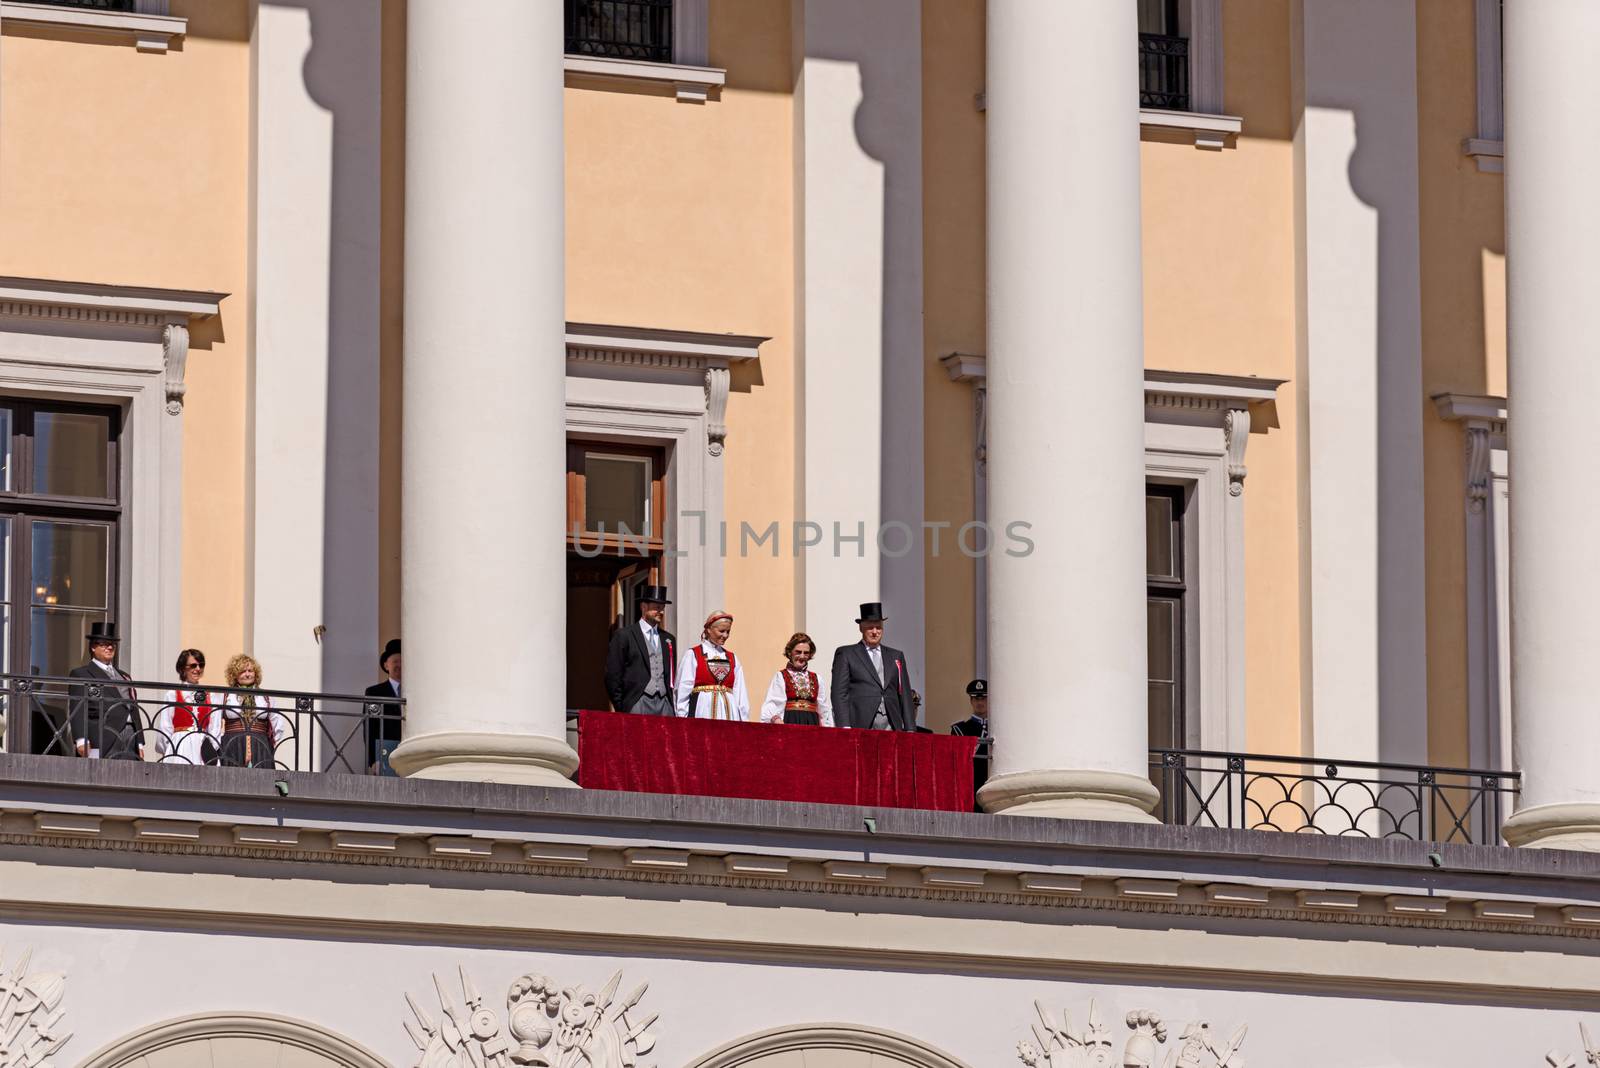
(1066, 408)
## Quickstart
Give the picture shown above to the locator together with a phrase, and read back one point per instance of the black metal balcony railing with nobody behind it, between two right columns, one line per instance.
(1313, 797)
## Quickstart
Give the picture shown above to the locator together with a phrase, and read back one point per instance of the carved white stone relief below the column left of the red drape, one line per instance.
(548, 1026)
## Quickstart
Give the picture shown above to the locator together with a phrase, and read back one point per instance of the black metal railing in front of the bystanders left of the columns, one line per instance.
(207, 725)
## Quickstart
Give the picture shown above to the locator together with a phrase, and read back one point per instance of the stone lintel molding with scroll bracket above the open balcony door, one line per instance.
(710, 357)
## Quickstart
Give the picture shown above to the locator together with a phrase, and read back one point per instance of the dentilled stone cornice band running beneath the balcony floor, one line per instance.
(806, 874)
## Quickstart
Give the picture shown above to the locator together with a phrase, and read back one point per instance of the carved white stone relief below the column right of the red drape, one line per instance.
(1058, 1045)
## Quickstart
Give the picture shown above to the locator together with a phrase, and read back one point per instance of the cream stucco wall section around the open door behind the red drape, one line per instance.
(681, 217)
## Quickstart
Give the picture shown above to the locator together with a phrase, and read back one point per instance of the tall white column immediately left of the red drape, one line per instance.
(486, 575)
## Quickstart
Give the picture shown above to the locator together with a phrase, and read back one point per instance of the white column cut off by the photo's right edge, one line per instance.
(1553, 231)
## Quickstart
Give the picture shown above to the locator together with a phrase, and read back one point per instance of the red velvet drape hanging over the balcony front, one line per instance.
(775, 762)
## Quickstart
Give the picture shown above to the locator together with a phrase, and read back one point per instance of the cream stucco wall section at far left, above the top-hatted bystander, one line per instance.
(132, 169)
